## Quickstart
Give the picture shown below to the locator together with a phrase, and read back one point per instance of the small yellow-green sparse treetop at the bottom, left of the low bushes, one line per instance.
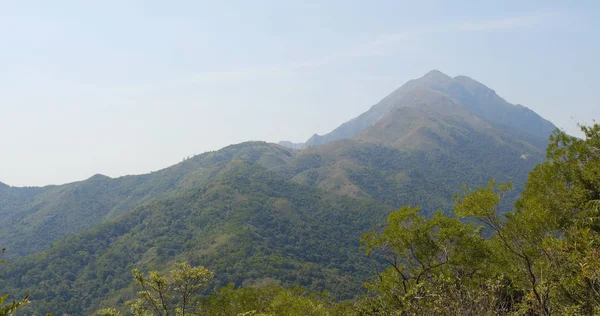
(162, 296)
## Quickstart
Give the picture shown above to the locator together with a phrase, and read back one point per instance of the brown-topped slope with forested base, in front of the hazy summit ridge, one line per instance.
(420, 152)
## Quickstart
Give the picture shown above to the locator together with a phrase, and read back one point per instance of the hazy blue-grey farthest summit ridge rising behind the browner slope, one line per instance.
(472, 95)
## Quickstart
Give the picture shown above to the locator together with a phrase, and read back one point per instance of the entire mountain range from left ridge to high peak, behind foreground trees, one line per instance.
(256, 211)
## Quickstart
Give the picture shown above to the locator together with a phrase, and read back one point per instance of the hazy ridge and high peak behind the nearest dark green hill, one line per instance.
(416, 146)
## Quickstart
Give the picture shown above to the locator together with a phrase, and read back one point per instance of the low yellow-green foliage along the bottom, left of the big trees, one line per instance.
(158, 294)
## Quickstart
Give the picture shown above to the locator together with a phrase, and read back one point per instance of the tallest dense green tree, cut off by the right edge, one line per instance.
(566, 189)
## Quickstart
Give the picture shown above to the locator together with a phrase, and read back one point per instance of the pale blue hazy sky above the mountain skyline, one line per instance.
(128, 87)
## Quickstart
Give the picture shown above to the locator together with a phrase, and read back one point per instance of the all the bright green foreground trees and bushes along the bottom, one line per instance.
(542, 258)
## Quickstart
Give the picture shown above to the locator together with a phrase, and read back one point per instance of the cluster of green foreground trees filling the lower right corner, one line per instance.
(542, 259)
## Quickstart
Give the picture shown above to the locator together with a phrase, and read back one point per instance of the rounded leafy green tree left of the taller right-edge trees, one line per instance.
(437, 266)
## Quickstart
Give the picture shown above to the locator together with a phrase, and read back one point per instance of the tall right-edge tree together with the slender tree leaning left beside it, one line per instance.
(550, 242)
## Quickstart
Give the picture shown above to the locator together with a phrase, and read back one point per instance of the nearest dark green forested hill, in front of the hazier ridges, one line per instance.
(247, 224)
